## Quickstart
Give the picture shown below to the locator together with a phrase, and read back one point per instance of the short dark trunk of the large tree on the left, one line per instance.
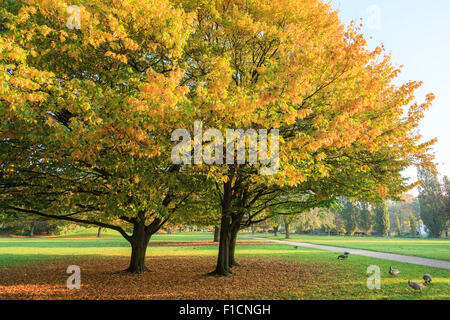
(139, 242)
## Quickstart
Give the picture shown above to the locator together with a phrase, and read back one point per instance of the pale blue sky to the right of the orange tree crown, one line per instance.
(417, 32)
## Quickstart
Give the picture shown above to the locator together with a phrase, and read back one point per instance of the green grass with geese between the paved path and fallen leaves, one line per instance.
(348, 279)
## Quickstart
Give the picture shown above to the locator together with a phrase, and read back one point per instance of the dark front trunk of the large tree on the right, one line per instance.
(223, 263)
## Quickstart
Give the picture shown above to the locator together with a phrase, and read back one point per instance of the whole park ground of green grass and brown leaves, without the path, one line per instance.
(36, 268)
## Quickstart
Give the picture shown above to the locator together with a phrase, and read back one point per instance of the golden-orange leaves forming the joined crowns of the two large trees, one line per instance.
(139, 69)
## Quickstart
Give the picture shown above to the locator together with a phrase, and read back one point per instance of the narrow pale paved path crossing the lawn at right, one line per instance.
(373, 254)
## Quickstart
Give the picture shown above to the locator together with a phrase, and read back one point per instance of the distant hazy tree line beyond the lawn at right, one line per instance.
(386, 218)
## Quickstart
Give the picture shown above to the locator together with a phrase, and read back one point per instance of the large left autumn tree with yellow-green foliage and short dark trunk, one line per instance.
(87, 110)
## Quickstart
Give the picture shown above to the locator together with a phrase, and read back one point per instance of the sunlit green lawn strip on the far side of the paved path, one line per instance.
(427, 248)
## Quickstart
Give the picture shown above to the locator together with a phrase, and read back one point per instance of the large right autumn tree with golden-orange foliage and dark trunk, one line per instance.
(293, 66)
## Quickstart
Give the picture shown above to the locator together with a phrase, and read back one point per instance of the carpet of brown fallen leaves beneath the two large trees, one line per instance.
(170, 278)
